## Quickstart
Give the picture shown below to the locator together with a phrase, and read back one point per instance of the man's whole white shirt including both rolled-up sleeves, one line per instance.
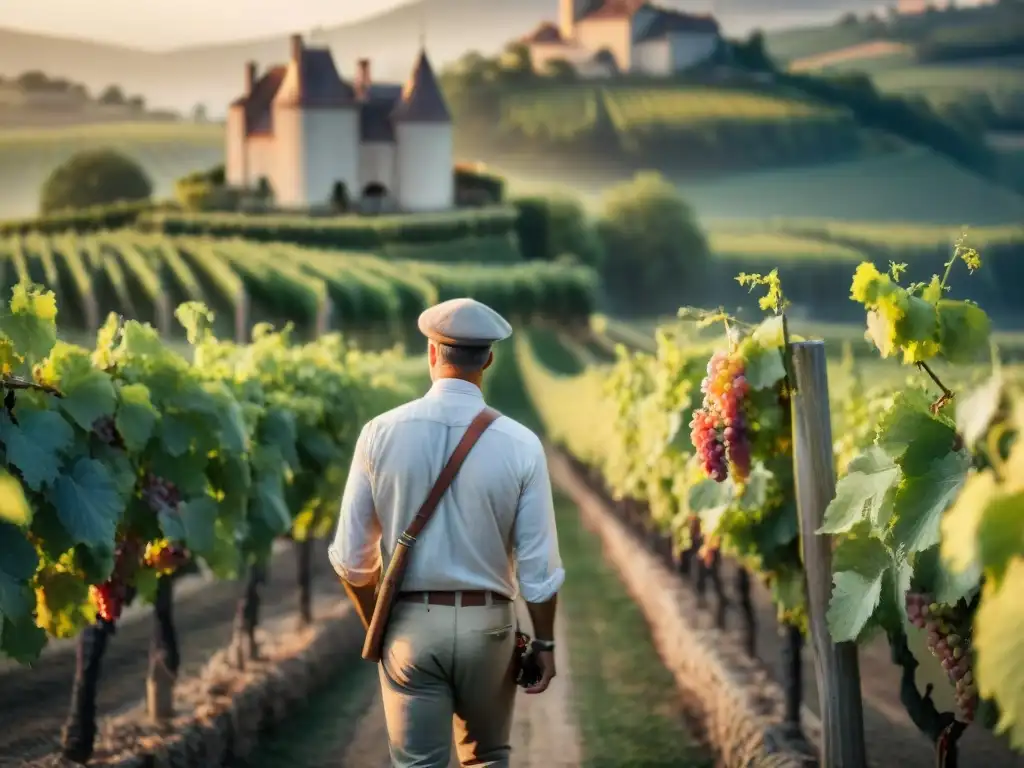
(494, 527)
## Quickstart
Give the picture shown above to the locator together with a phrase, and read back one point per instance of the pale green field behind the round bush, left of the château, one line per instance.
(166, 151)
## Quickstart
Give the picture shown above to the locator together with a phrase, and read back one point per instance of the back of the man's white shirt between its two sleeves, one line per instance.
(468, 543)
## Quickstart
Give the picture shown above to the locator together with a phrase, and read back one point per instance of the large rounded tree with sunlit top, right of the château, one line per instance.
(654, 249)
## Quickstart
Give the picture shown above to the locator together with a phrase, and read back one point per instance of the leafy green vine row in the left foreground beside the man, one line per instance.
(121, 464)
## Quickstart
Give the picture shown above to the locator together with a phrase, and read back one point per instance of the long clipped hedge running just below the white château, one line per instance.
(344, 233)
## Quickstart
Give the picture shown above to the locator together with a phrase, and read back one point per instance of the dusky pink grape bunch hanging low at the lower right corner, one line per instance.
(953, 650)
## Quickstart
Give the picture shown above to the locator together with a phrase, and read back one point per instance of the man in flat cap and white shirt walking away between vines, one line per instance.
(441, 614)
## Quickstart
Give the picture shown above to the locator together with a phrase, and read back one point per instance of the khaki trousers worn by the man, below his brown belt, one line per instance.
(446, 668)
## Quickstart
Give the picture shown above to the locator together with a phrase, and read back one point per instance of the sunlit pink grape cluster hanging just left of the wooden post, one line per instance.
(719, 430)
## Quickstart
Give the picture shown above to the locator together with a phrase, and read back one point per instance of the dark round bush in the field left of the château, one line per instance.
(95, 178)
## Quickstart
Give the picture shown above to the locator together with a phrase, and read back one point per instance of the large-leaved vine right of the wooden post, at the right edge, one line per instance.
(909, 513)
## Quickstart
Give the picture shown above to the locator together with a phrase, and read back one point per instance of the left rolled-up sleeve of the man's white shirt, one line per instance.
(355, 553)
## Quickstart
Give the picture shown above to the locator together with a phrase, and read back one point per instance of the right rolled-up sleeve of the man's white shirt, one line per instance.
(539, 565)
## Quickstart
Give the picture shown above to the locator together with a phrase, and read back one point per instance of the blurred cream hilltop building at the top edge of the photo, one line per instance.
(599, 37)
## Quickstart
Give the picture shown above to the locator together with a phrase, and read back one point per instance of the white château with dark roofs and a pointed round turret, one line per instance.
(305, 131)
